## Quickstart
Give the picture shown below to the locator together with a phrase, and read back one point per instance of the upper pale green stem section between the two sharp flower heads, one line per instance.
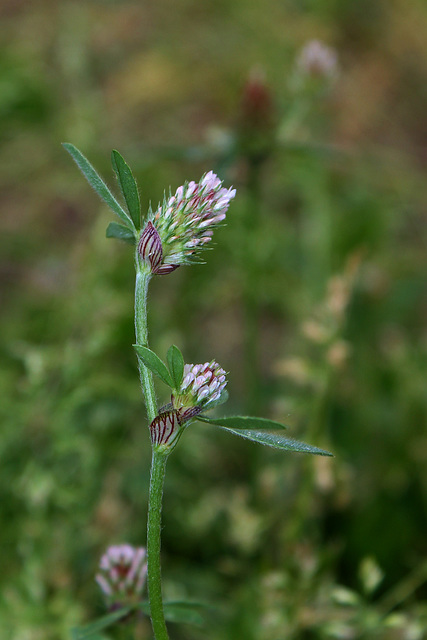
(141, 332)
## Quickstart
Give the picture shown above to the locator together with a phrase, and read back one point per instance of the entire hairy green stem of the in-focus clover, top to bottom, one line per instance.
(158, 462)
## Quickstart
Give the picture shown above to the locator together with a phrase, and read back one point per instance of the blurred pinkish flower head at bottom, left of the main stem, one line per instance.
(122, 573)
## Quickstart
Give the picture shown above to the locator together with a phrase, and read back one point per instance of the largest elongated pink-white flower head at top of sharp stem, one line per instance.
(184, 224)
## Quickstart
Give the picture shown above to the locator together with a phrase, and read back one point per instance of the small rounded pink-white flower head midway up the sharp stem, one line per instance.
(201, 386)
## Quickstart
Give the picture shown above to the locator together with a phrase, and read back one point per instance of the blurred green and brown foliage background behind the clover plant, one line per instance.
(314, 300)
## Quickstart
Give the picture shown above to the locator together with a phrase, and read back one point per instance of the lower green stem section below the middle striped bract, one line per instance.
(158, 466)
